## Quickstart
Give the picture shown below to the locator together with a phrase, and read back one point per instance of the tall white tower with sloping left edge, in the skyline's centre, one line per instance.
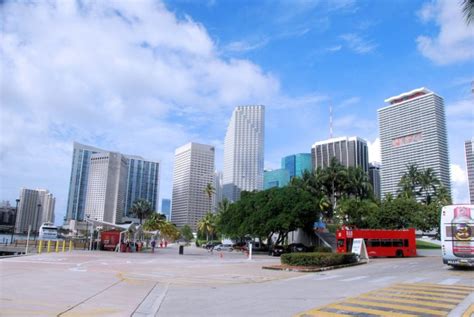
(243, 151)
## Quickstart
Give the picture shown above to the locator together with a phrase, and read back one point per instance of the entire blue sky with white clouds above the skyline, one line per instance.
(145, 77)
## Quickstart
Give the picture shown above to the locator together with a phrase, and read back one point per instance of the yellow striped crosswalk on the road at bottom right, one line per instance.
(400, 300)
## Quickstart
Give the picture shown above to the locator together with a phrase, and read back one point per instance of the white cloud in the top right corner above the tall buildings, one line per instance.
(455, 40)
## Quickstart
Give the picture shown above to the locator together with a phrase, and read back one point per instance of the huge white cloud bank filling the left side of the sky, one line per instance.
(126, 76)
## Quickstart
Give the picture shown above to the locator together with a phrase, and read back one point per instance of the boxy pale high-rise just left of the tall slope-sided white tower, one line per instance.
(193, 170)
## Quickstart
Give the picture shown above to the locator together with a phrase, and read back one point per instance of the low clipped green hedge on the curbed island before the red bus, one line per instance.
(320, 259)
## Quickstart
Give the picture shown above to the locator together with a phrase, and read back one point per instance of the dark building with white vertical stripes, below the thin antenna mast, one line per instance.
(349, 151)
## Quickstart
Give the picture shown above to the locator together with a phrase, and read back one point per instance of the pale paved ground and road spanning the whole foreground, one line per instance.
(199, 283)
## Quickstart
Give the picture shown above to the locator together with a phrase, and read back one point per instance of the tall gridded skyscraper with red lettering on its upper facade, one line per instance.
(413, 131)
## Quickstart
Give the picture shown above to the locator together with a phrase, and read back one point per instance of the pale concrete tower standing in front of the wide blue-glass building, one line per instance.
(106, 185)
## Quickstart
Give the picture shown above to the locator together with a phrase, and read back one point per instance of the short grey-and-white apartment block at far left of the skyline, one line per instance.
(35, 207)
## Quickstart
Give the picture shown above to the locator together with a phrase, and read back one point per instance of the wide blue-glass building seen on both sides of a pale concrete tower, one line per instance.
(142, 181)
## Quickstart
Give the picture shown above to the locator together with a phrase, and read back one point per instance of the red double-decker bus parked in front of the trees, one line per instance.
(379, 242)
